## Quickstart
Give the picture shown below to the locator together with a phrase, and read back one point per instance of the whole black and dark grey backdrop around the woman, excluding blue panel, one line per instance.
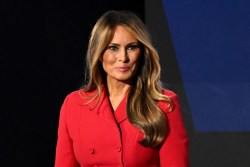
(43, 45)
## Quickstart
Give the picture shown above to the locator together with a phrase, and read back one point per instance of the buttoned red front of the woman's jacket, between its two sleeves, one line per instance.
(102, 137)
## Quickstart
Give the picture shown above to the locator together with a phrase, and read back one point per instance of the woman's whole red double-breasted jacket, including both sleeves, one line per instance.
(99, 137)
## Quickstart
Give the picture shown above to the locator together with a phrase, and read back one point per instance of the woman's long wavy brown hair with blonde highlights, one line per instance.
(142, 109)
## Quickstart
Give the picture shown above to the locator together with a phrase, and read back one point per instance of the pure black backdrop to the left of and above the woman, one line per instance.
(43, 45)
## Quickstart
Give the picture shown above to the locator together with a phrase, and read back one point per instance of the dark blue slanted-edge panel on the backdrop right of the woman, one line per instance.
(212, 46)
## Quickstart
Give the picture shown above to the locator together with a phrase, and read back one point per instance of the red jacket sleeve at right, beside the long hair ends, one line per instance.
(174, 151)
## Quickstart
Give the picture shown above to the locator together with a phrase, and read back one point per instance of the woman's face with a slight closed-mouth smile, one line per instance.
(121, 58)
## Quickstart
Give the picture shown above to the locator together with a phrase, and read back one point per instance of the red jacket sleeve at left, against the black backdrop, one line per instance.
(64, 149)
